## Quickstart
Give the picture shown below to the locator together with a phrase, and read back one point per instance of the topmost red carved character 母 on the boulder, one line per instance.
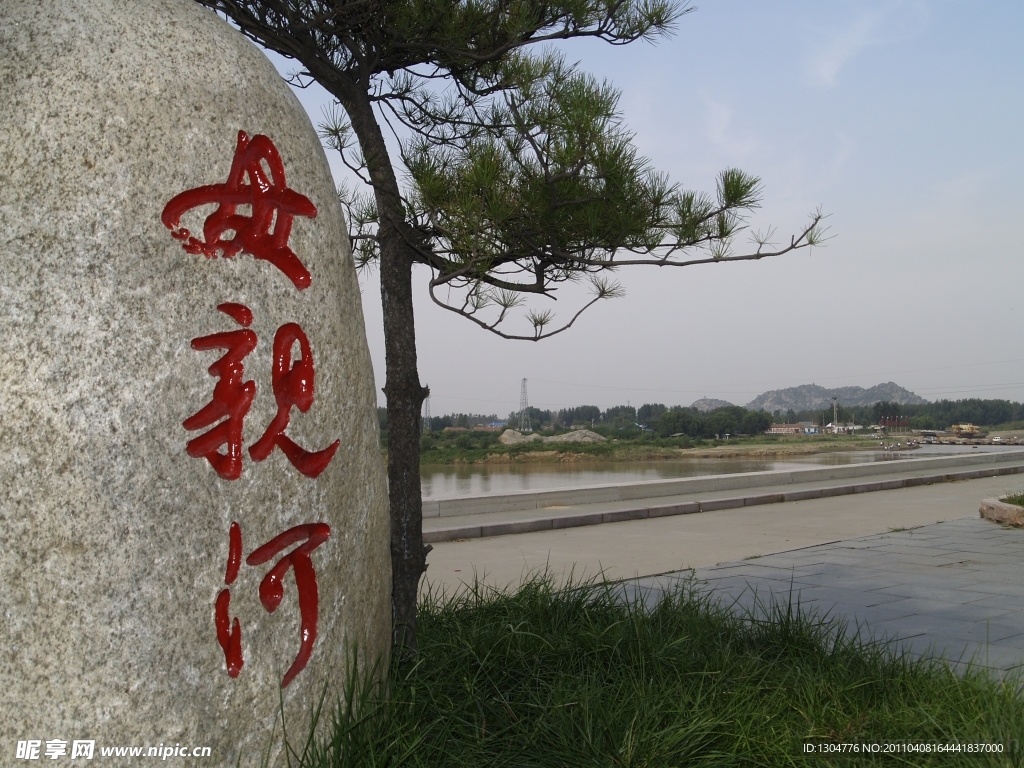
(272, 202)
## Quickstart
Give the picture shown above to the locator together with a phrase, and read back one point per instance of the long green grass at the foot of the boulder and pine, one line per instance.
(577, 676)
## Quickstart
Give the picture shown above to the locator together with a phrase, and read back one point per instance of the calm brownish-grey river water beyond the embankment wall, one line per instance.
(497, 480)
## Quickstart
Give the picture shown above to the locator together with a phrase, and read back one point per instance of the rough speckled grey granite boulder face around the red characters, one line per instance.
(115, 540)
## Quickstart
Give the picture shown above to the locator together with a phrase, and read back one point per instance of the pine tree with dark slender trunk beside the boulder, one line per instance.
(523, 179)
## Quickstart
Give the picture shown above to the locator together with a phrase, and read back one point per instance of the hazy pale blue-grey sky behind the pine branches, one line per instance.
(904, 120)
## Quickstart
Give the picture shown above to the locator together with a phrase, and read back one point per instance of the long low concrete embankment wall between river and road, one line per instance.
(692, 486)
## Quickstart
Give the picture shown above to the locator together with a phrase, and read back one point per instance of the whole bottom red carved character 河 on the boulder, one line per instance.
(272, 591)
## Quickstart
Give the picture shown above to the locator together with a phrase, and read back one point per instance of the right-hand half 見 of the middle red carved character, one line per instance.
(293, 386)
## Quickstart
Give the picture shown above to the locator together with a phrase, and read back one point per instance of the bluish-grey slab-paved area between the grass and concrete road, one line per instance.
(954, 589)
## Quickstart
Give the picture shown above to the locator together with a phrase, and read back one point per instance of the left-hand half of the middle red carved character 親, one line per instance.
(232, 398)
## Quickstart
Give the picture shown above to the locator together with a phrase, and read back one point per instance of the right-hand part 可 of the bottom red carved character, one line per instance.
(272, 590)
